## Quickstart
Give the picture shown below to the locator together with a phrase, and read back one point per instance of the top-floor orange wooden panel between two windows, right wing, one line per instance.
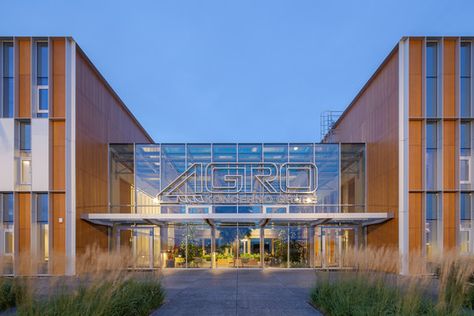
(449, 75)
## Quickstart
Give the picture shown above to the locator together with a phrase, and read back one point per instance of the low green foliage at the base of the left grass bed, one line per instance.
(130, 297)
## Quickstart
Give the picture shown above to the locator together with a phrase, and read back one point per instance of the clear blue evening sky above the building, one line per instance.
(247, 70)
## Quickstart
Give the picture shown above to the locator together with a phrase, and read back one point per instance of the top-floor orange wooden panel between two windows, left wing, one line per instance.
(24, 78)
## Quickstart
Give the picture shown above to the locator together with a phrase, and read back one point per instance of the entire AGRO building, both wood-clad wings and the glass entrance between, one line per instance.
(78, 170)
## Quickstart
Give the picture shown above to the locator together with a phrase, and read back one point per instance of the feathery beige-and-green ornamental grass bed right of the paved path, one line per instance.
(375, 287)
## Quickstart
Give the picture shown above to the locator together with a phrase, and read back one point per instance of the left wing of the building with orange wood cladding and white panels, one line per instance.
(57, 117)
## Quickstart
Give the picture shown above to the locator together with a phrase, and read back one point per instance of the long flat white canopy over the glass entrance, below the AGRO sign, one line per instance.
(364, 219)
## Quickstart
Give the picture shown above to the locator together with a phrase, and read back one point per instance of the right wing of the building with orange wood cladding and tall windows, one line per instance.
(415, 115)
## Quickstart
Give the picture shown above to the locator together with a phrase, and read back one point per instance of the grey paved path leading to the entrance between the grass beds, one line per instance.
(237, 292)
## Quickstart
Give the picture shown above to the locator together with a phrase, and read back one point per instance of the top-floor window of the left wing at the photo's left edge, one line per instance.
(7, 84)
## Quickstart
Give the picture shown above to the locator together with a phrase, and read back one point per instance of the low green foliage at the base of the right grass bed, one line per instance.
(357, 296)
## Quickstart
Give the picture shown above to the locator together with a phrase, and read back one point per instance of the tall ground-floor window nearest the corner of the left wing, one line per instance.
(42, 220)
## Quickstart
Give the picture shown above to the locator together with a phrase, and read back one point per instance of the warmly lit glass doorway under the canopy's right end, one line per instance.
(336, 242)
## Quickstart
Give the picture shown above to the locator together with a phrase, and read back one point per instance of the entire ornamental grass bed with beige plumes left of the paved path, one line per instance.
(104, 285)
